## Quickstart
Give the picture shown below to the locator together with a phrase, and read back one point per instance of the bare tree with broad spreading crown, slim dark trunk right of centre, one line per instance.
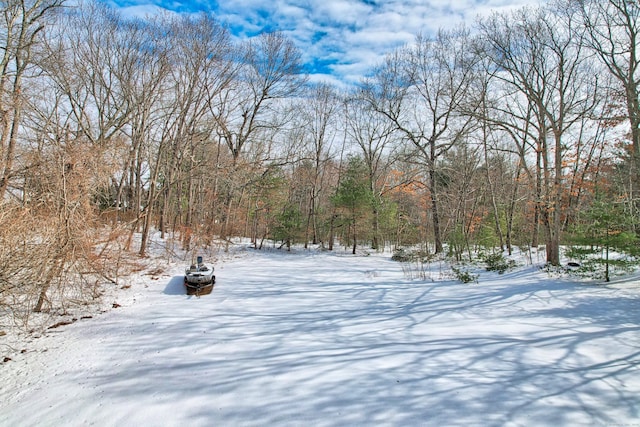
(420, 89)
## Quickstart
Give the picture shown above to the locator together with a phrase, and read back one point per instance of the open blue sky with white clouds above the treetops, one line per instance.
(341, 40)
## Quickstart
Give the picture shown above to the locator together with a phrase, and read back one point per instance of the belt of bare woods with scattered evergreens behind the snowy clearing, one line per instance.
(498, 135)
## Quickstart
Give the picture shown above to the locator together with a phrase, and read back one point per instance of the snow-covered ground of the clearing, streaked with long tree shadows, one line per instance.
(322, 339)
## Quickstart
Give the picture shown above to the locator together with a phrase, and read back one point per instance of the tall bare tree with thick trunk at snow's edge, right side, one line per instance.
(540, 59)
